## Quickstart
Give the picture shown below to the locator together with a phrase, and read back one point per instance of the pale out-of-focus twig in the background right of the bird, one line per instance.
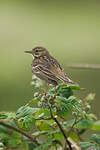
(84, 66)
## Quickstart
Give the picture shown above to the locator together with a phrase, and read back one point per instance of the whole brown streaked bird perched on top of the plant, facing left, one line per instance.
(46, 67)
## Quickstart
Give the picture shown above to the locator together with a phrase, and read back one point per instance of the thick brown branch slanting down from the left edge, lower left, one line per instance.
(20, 131)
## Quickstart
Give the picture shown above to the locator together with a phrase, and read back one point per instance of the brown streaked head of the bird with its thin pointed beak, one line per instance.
(38, 52)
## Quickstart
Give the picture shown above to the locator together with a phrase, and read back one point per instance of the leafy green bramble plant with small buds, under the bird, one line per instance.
(55, 119)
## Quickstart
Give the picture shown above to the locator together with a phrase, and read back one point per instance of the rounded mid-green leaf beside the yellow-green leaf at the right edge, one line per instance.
(84, 124)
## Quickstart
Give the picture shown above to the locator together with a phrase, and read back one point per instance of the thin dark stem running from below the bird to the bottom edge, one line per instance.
(61, 129)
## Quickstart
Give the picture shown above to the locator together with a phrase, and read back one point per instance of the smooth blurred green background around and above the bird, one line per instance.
(69, 29)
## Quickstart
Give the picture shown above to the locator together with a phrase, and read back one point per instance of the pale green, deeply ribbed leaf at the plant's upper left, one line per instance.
(26, 110)
